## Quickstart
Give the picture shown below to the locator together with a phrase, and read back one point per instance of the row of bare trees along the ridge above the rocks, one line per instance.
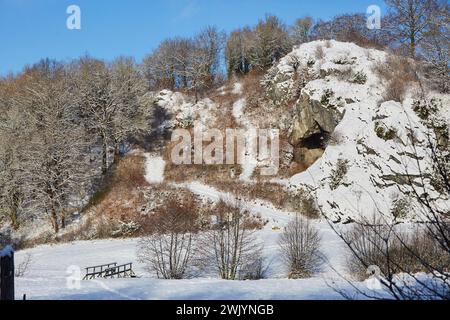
(414, 28)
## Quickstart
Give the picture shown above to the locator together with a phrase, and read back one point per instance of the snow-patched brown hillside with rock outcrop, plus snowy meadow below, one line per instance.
(350, 148)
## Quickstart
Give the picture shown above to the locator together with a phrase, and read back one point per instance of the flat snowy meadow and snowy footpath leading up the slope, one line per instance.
(55, 270)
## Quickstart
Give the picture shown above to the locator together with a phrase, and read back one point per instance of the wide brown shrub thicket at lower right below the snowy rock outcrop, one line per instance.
(392, 251)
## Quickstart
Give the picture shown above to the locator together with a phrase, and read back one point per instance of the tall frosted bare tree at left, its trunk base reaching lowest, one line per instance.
(55, 164)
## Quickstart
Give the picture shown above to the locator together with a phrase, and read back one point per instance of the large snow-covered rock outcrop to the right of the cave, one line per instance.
(375, 151)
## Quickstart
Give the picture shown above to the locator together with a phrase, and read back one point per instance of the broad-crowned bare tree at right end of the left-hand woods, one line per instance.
(109, 100)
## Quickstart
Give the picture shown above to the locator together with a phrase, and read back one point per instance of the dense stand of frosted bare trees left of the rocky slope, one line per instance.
(61, 128)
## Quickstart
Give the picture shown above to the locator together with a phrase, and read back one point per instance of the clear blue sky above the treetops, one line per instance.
(35, 29)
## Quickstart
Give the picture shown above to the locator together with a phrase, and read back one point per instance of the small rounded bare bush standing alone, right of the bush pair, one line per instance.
(300, 244)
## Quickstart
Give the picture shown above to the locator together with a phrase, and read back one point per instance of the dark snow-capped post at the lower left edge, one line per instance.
(7, 273)
